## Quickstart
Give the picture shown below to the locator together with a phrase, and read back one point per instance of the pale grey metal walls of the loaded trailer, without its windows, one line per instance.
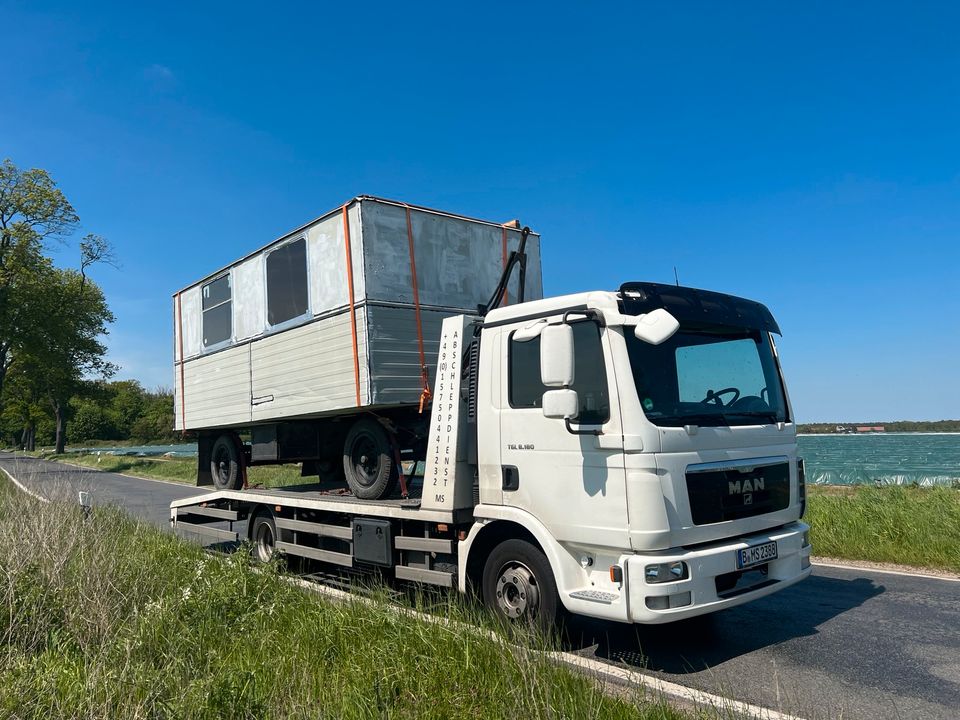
(307, 369)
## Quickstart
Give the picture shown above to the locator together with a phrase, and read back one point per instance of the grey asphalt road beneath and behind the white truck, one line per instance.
(845, 643)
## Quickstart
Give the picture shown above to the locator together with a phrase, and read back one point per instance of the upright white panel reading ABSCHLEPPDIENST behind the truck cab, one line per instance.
(446, 481)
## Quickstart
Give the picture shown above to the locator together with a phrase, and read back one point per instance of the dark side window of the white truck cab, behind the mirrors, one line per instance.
(590, 375)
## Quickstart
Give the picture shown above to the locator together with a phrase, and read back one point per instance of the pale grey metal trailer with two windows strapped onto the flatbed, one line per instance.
(296, 342)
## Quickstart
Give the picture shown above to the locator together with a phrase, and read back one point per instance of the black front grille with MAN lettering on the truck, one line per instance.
(739, 491)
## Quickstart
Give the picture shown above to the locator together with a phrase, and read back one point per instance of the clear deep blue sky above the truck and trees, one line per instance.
(807, 156)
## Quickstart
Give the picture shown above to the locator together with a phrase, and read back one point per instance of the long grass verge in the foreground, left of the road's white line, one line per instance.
(105, 617)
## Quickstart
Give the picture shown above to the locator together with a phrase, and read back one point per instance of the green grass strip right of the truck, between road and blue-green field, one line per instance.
(903, 525)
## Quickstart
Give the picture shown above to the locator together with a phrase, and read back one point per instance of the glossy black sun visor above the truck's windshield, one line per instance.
(691, 306)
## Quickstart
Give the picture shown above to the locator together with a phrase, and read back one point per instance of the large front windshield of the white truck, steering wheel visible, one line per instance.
(710, 375)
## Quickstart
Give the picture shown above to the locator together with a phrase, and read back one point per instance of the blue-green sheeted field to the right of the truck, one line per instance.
(884, 458)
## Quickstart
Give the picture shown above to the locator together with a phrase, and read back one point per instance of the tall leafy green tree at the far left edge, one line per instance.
(51, 319)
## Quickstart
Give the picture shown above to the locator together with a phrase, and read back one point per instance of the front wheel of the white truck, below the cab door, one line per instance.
(518, 585)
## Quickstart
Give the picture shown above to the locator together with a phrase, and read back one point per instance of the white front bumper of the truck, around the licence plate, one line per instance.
(667, 602)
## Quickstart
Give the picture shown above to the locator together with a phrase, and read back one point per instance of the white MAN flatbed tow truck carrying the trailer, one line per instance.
(627, 455)
